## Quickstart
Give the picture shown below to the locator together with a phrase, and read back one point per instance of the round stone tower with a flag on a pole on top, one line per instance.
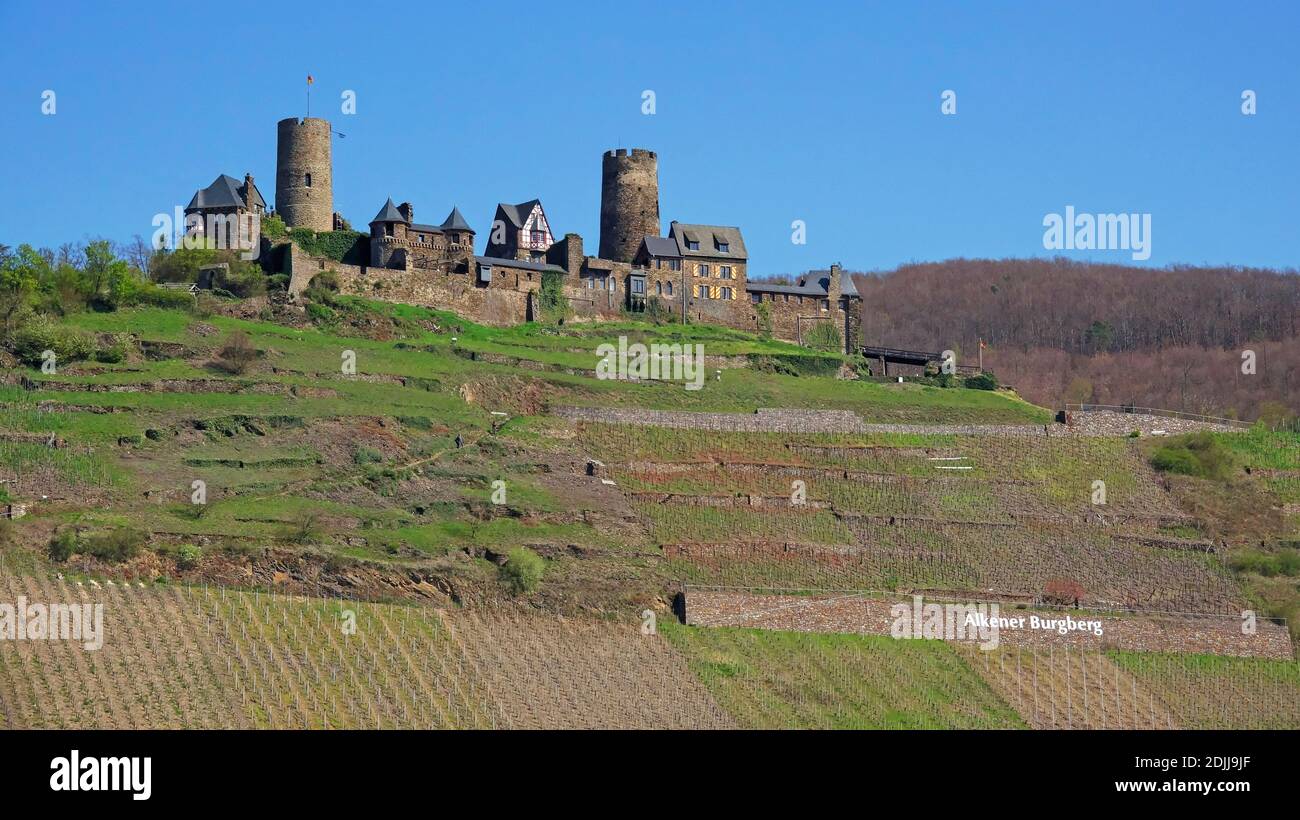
(305, 183)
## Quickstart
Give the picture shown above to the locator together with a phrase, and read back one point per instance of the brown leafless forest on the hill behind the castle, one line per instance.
(1060, 331)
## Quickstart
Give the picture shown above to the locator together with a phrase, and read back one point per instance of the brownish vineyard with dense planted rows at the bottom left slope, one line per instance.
(219, 658)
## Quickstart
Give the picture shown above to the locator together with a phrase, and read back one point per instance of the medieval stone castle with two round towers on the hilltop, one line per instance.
(696, 272)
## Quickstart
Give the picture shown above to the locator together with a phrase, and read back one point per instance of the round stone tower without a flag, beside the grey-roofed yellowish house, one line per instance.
(630, 202)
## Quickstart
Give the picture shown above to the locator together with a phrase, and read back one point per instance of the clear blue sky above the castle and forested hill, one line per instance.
(766, 114)
